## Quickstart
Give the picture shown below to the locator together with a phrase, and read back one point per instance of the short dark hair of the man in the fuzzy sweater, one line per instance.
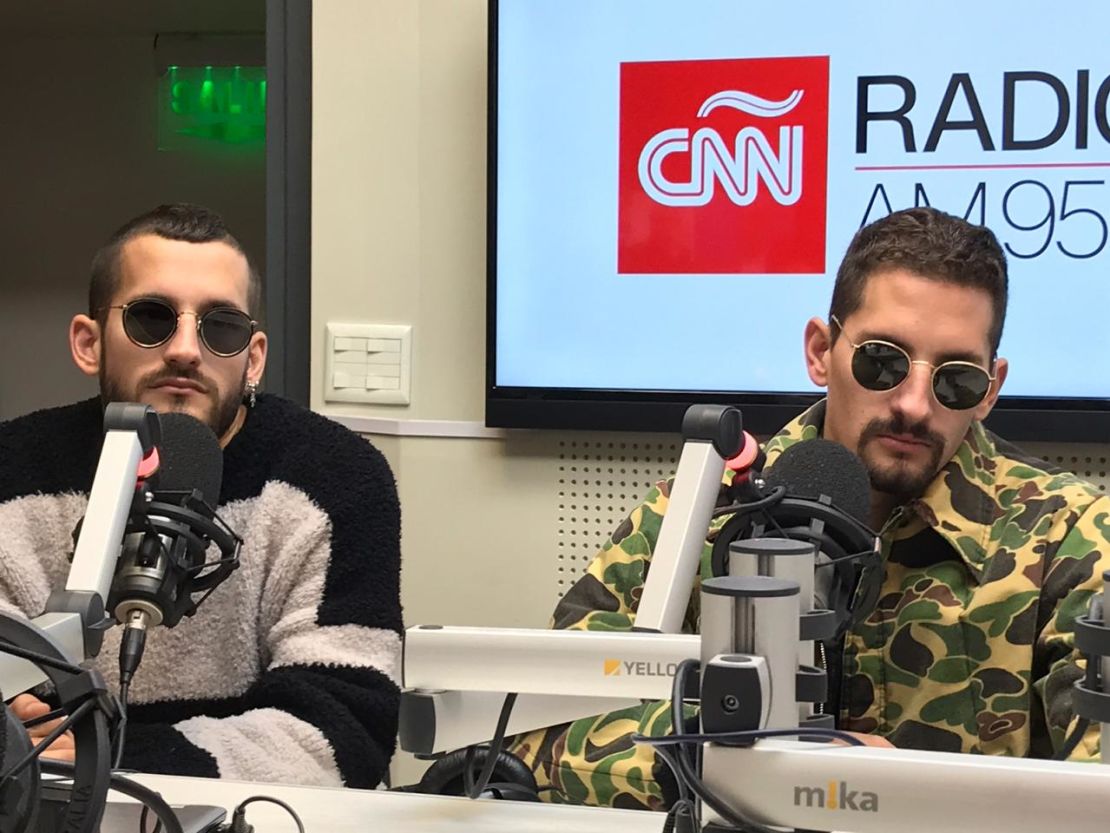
(176, 222)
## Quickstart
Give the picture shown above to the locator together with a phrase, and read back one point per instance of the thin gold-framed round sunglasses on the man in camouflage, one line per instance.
(880, 366)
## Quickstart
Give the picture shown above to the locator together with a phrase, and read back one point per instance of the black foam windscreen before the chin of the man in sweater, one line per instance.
(190, 458)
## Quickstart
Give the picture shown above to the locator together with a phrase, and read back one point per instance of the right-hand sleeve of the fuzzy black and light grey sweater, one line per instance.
(325, 709)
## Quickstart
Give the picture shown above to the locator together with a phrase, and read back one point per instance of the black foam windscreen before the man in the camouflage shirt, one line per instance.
(814, 468)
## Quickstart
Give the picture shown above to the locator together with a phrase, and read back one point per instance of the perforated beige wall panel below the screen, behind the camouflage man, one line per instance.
(600, 481)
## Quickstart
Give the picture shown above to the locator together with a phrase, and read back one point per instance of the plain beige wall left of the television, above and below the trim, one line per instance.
(399, 236)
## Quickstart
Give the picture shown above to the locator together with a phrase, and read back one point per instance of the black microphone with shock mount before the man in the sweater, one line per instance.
(164, 563)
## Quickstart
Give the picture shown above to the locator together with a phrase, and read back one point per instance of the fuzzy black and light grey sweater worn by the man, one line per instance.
(289, 671)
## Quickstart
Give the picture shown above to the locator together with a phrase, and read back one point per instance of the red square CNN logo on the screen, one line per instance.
(724, 166)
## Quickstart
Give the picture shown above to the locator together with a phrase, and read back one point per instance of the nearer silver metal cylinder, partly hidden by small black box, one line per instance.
(756, 616)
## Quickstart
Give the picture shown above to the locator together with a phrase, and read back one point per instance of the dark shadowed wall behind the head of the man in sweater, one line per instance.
(78, 158)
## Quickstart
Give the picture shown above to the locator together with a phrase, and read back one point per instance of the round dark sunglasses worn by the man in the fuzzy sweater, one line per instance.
(150, 323)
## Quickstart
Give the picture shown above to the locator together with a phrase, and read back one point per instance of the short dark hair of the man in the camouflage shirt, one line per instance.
(933, 245)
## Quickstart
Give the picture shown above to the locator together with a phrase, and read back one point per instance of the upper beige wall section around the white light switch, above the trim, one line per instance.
(399, 189)
